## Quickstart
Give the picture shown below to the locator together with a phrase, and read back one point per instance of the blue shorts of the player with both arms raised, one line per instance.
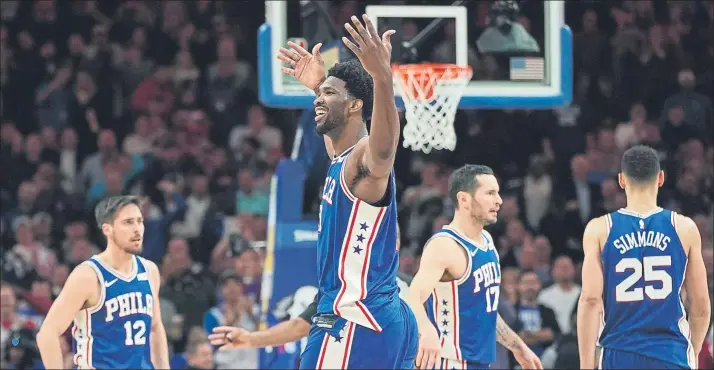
(356, 347)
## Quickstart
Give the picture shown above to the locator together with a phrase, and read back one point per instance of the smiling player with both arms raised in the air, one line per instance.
(360, 320)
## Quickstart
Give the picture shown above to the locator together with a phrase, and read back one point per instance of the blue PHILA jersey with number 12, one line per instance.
(116, 333)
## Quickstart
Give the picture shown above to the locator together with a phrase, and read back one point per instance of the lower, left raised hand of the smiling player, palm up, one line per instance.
(308, 68)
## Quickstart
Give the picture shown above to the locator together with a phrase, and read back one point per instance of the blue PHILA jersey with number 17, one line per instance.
(464, 311)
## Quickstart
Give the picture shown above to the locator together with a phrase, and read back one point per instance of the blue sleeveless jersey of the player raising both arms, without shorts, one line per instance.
(357, 255)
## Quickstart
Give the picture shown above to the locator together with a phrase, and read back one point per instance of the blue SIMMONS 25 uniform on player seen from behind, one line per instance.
(645, 325)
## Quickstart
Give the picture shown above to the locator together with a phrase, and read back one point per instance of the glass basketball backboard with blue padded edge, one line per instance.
(537, 76)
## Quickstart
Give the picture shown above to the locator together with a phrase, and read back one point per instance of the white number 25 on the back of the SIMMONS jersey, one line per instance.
(662, 287)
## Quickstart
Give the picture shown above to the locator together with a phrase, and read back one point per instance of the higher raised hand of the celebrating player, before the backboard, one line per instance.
(374, 52)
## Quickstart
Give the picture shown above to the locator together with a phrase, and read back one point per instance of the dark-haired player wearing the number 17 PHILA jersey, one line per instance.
(459, 277)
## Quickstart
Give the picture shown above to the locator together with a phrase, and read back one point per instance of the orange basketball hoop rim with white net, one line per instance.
(431, 94)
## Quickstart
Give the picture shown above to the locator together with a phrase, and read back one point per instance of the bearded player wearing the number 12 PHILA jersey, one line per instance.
(113, 300)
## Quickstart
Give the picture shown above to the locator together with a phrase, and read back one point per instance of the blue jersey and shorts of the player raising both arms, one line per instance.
(361, 322)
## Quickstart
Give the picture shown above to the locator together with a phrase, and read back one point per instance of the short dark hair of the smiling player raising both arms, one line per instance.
(357, 82)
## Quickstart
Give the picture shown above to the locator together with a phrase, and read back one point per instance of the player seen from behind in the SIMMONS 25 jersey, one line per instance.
(637, 260)
